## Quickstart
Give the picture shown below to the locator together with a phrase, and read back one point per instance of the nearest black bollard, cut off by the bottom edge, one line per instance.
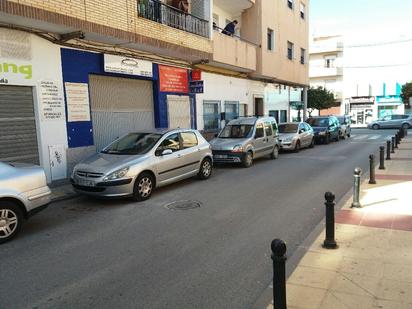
(278, 247)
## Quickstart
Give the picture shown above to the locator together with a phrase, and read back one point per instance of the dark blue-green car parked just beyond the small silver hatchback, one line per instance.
(326, 128)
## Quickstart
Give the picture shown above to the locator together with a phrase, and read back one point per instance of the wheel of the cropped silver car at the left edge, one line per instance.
(11, 220)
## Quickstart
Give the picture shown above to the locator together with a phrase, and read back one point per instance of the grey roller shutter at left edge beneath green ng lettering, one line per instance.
(18, 136)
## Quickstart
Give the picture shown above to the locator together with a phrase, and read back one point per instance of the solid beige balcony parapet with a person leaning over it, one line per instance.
(231, 52)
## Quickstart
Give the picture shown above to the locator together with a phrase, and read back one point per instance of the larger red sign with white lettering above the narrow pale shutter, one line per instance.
(173, 79)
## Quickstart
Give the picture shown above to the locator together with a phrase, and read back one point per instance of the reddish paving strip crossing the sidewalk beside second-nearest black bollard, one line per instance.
(374, 219)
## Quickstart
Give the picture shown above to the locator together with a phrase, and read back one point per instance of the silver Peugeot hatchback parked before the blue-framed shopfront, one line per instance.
(136, 163)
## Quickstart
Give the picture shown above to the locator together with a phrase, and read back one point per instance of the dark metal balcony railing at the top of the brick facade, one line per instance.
(167, 15)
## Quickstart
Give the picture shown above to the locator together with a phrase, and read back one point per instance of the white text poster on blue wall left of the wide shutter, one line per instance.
(51, 100)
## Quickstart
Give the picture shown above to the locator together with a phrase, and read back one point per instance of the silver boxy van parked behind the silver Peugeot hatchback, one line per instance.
(244, 139)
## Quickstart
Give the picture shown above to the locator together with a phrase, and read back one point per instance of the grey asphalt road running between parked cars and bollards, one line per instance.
(86, 253)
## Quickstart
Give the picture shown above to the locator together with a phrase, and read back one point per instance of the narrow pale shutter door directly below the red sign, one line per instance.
(178, 109)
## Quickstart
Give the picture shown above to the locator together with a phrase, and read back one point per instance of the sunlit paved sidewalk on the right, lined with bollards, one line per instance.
(372, 268)
